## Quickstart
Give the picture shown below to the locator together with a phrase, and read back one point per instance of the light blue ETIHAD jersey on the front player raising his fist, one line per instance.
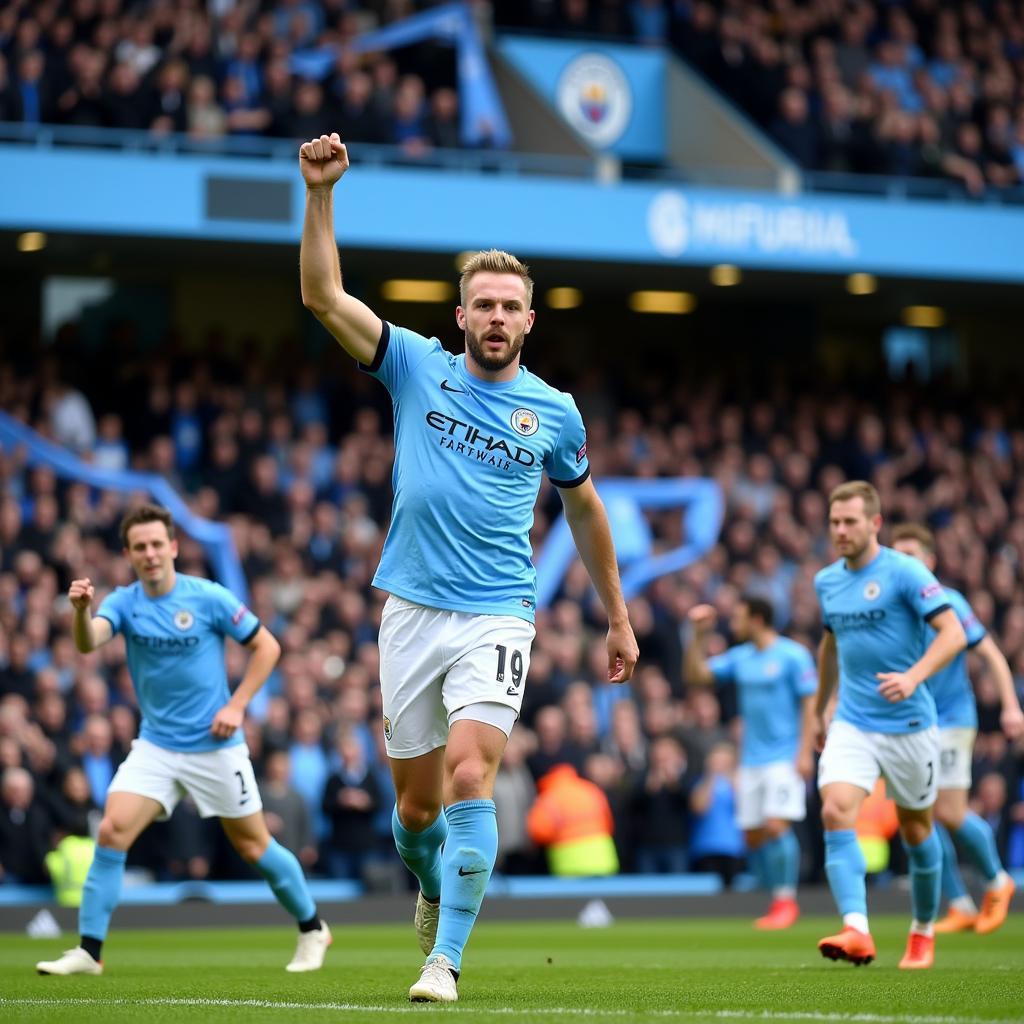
(470, 455)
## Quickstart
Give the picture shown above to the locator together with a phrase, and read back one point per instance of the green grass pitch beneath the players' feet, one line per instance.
(689, 970)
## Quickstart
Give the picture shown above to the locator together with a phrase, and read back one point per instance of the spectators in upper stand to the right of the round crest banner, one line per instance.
(917, 90)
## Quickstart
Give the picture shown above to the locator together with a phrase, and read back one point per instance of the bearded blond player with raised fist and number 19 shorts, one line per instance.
(474, 436)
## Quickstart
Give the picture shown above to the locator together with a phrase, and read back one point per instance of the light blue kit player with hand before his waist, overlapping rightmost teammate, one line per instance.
(879, 610)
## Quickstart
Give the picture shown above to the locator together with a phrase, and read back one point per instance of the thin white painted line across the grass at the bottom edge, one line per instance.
(728, 1015)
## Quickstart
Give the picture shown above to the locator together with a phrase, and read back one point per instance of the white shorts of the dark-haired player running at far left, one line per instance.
(222, 783)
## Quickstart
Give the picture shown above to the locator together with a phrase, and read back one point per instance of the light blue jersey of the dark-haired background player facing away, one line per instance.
(771, 685)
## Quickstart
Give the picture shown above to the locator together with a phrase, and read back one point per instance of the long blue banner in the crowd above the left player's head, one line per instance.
(216, 537)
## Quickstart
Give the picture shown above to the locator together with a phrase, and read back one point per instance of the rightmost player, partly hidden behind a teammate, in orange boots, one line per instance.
(958, 727)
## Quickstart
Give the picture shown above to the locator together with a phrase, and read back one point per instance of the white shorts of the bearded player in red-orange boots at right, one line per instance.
(910, 762)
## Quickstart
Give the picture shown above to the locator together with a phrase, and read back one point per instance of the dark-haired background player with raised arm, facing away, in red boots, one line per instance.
(776, 682)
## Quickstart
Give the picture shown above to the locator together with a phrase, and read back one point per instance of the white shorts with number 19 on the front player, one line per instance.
(435, 663)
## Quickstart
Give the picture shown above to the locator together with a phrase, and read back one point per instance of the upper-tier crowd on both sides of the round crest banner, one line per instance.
(917, 90)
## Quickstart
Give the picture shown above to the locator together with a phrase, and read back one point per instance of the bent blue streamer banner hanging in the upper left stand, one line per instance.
(483, 117)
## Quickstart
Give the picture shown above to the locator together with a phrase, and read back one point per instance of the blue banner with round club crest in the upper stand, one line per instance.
(612, 96)
